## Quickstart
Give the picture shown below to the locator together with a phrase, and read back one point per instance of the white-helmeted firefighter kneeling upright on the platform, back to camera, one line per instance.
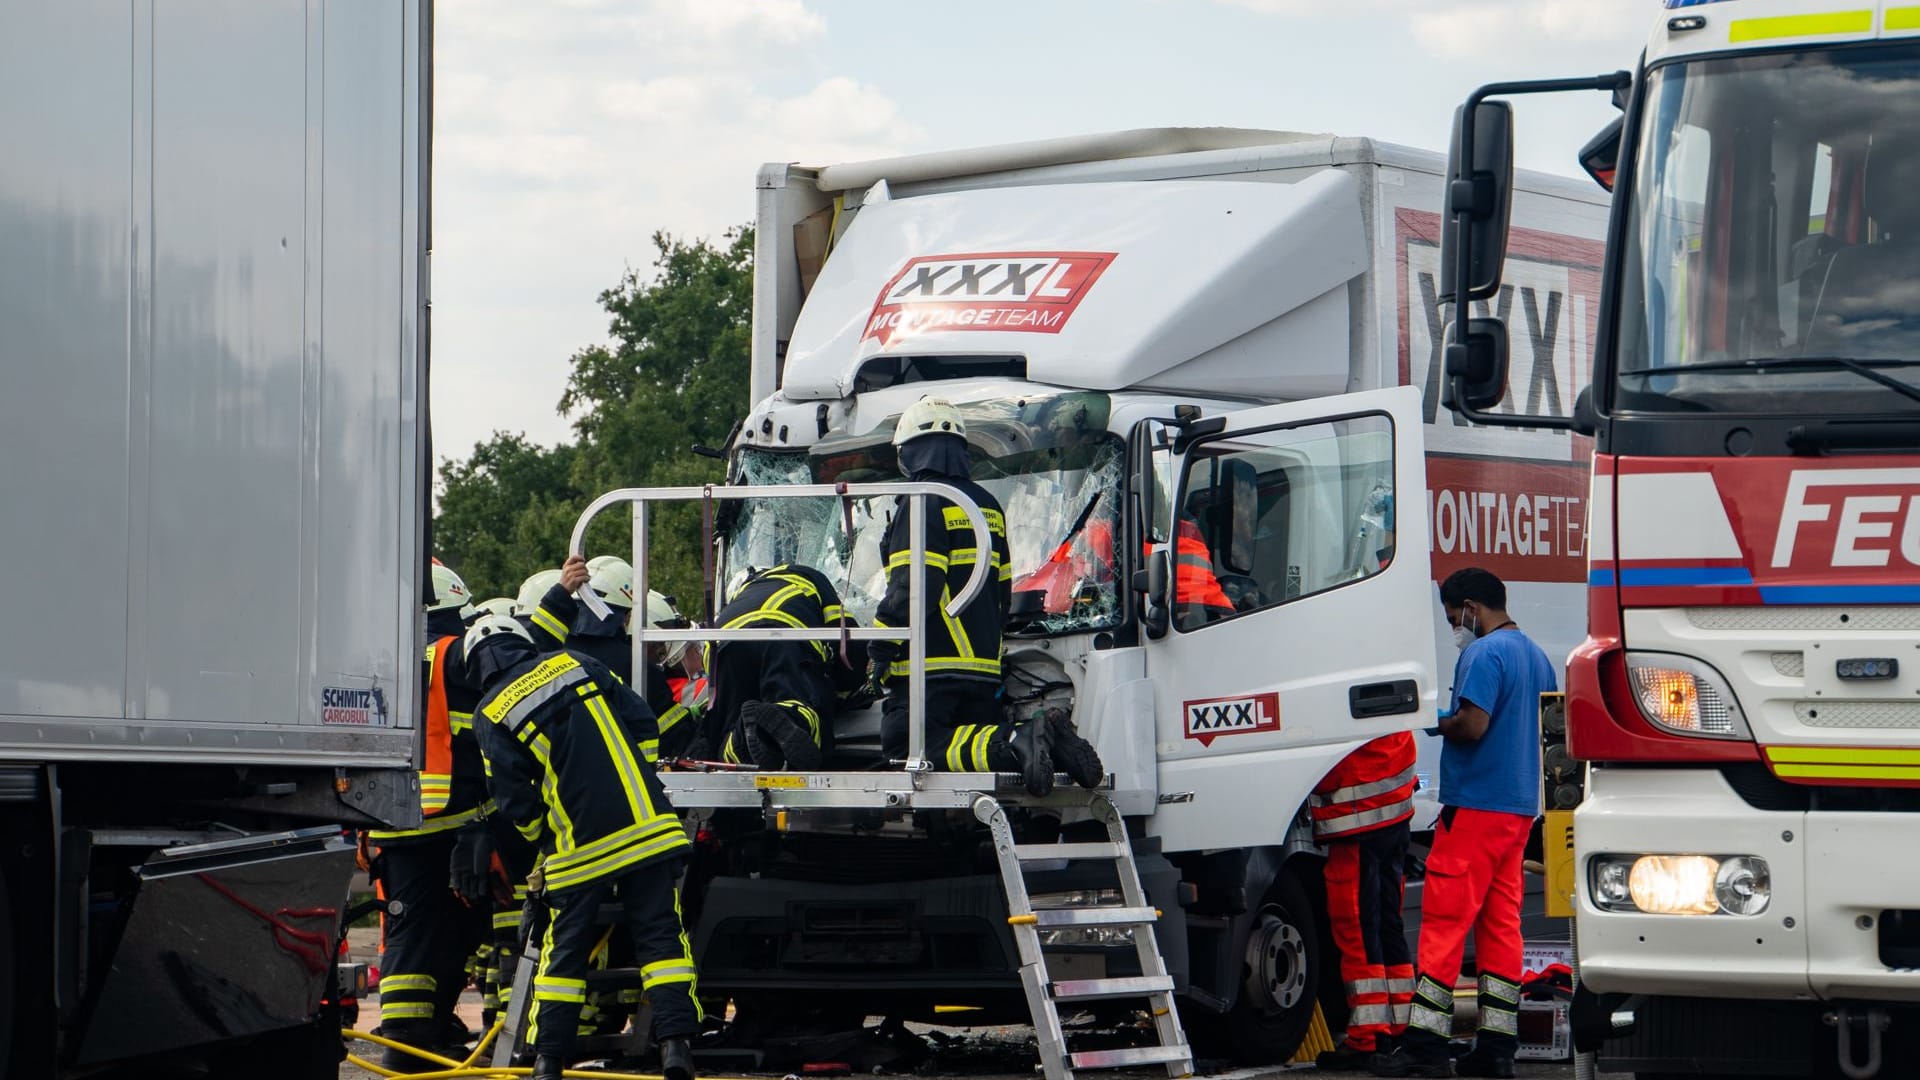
(965, 729)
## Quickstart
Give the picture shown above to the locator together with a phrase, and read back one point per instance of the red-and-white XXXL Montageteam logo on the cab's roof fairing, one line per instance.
(1024, 293)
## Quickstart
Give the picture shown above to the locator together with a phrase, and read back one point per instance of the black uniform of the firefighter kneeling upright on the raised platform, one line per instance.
(963, 674)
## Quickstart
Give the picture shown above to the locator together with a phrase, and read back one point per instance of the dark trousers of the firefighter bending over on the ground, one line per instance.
(650, 900)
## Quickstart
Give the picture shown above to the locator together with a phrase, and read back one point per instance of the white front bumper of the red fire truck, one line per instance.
(1833, 931)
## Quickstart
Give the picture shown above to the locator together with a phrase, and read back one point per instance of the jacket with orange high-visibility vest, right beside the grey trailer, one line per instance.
(452, 772)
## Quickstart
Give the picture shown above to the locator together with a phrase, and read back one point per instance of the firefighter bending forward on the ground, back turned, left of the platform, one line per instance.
(564, 739)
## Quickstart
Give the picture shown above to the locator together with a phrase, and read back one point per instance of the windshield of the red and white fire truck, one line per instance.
(1773, 253)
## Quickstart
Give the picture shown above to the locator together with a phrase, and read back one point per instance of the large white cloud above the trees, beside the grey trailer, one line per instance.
(567, 134)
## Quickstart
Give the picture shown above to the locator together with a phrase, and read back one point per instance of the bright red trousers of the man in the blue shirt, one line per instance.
(1474, 887)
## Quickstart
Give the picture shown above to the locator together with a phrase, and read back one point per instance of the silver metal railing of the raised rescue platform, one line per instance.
(913, 633)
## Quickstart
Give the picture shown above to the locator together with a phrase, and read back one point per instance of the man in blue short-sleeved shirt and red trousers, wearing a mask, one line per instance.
(1489, 797)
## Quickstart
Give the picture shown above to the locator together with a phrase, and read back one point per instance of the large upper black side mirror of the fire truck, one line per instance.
(1481, 199)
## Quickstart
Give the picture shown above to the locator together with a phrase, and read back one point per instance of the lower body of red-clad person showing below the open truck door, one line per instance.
(1362, 812)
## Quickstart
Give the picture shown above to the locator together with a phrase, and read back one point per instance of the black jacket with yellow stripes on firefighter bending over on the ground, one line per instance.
(571, 756)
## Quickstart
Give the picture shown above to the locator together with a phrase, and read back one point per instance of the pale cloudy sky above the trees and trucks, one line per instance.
(569, 132)
